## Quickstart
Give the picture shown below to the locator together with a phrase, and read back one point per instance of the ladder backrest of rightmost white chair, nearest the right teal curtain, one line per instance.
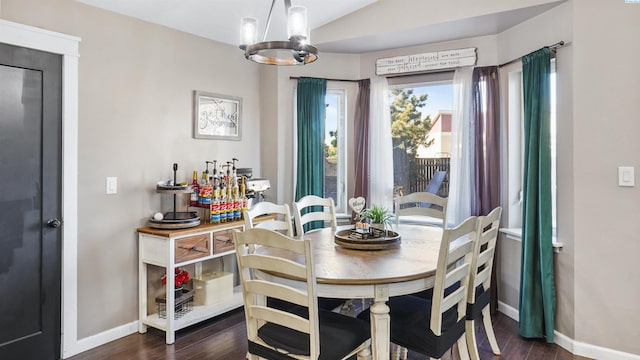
(482, 261)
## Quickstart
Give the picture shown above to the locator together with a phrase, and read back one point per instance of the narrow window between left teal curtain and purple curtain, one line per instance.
(335, 149)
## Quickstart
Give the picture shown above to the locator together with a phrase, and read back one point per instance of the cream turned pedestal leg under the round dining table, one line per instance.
(380, 324)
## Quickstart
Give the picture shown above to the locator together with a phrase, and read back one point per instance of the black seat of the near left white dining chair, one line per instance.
(339, 335)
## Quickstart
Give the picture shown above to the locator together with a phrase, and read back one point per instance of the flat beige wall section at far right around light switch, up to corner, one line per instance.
(606, 107)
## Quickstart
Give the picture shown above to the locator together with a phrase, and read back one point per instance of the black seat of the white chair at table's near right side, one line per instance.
(410, 326)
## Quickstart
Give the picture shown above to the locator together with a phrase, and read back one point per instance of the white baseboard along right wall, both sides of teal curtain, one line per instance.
(573, 346)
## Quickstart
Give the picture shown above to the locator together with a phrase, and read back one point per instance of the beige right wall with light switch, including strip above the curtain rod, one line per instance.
(598, 107)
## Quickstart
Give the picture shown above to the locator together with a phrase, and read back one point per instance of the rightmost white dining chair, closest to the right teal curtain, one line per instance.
(479, 294)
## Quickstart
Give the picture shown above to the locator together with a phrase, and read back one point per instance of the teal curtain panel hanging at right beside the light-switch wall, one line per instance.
(537, 289)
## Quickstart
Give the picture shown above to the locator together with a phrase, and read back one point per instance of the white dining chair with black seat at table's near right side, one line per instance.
(433, 326)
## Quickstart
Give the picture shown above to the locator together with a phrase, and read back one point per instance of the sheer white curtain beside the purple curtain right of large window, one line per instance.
(460, 172)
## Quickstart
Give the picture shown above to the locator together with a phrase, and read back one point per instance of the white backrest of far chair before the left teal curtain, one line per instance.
(313, 208)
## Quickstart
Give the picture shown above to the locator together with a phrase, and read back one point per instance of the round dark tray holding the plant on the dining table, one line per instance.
(374, 240)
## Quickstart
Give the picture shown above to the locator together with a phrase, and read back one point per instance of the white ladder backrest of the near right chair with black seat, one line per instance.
(454, 264)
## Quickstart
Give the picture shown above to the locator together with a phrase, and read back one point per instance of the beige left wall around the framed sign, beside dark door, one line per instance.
(135, 121)
